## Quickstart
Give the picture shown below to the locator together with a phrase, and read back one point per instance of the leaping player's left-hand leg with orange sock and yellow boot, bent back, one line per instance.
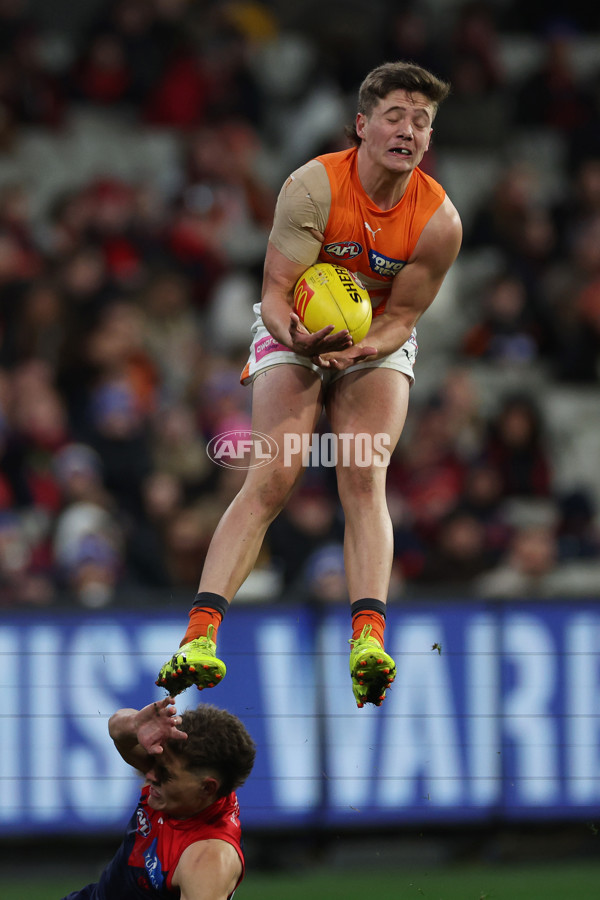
(286, 399)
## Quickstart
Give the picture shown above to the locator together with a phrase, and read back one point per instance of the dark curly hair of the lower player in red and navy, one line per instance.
(216, 740)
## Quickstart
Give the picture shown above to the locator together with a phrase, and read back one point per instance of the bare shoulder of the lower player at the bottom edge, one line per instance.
(207, 870)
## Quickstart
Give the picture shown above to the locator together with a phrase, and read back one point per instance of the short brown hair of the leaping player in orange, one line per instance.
(397, 76)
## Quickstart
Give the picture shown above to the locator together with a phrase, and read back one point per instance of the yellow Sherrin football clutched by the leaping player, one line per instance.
(331, 295)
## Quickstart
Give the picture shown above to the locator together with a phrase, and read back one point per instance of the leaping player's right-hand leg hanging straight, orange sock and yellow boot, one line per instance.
(367, 411)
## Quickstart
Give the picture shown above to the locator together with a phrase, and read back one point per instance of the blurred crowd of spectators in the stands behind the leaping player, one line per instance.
(125, 305)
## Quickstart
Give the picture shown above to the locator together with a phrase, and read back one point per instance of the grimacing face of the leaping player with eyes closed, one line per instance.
(397, 133)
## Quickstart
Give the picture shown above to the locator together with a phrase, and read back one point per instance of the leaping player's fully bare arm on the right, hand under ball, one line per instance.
(414, 288)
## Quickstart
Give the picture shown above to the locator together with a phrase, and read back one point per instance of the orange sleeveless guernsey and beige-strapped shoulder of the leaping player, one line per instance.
(326, 194)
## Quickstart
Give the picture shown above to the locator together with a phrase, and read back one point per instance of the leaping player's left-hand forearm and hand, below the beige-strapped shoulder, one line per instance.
(277, 309)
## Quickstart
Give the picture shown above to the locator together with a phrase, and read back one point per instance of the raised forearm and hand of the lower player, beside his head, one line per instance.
(139, 734)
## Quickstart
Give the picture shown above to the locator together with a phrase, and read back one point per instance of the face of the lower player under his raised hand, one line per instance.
(175, 790)
